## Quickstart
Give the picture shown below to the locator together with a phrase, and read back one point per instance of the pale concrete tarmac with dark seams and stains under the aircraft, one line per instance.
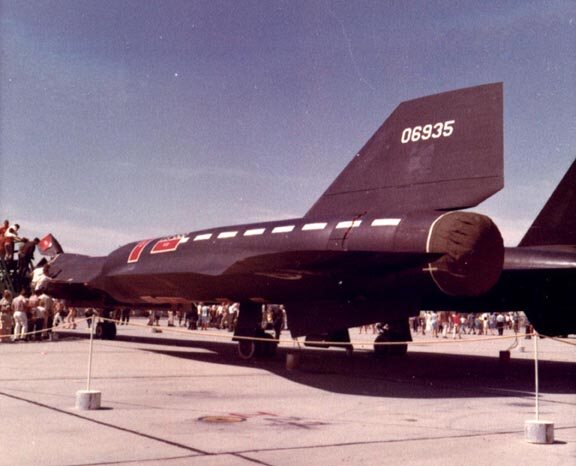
(184, 397)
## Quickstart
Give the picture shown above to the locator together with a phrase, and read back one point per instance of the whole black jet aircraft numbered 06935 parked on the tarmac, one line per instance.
(386, 239)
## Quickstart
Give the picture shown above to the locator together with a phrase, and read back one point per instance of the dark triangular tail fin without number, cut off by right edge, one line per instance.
(556, 222)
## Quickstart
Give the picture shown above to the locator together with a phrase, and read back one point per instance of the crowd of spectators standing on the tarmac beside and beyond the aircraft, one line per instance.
(31, 316)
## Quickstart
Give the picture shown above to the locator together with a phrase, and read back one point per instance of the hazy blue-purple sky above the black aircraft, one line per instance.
(128, 119)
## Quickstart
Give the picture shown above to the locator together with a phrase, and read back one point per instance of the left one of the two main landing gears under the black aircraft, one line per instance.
(252, 340)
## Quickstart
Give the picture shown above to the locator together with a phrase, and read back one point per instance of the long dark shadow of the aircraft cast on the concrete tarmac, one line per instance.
(416, 375)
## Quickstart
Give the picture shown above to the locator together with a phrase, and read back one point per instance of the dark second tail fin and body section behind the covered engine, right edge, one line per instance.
(539, 276)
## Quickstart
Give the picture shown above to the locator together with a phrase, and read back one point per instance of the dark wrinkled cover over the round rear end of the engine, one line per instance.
(473, 253)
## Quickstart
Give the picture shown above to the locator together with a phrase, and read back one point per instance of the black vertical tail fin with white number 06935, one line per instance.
(438, 152)
